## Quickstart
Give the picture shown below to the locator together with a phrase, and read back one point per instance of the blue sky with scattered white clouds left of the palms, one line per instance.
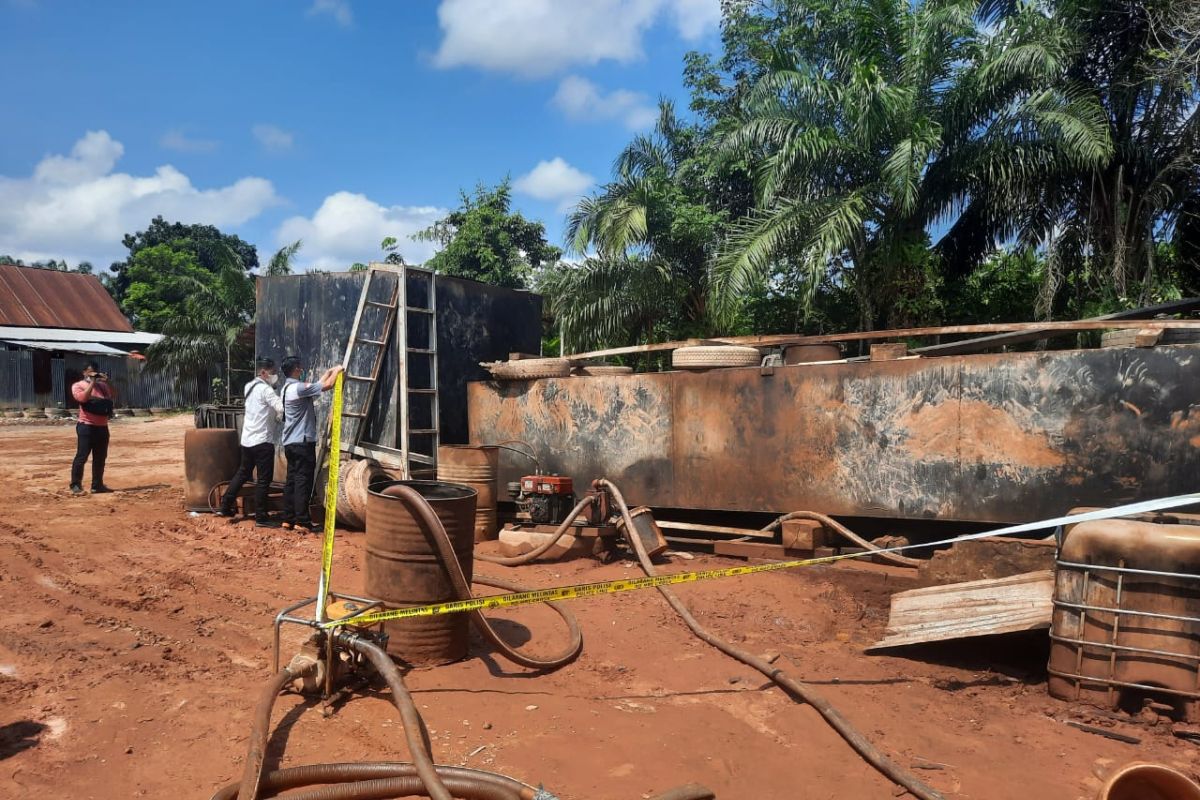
(337, 122)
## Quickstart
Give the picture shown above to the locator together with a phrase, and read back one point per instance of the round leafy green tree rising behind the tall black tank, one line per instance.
(485, 240)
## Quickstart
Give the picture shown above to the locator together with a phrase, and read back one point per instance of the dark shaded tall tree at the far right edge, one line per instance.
(1102, 226)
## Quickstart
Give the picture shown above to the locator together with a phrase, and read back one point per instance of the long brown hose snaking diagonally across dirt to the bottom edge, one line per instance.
(796, 689)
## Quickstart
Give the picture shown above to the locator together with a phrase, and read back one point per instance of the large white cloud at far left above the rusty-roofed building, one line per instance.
(75, 207)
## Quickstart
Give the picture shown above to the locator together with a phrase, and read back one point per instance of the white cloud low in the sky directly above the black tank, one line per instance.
(349, 228)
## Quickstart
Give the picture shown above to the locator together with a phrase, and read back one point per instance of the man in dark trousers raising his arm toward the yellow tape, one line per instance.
(301, 438)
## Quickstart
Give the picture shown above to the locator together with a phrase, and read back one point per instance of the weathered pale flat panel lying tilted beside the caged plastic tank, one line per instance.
(958, 611)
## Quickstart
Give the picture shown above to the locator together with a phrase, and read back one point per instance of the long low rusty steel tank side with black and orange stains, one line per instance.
(987, 438)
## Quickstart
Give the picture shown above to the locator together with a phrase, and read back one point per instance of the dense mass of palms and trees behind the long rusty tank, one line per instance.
(863, 164)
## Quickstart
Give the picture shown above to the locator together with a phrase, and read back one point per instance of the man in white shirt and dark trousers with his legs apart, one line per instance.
(260, 431)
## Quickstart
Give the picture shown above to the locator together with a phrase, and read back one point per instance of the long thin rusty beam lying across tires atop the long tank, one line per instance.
(905, 333)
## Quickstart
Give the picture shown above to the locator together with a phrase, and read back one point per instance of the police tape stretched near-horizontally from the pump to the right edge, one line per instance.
(632, 585)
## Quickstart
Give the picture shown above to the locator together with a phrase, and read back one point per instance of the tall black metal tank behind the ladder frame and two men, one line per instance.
(311, 316)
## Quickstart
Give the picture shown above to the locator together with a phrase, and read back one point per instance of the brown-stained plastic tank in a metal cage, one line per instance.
(1126, 625)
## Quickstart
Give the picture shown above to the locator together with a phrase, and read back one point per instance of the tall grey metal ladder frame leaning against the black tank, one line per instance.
(415, 294)
